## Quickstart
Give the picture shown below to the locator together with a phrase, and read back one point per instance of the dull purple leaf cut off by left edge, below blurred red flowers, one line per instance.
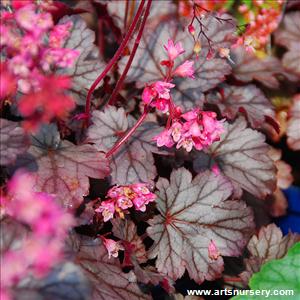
(13, 141)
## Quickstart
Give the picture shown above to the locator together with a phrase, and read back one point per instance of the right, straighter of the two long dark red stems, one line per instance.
(129, 62)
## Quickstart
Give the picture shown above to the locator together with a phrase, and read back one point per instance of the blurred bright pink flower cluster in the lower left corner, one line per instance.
(43, 246)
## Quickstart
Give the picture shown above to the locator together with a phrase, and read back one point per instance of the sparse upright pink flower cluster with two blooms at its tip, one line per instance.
(157, 94)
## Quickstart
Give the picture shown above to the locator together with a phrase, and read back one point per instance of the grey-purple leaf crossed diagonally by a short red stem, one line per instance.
(134, 161)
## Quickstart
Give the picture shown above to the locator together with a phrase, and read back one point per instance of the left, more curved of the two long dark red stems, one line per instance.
(114, 59)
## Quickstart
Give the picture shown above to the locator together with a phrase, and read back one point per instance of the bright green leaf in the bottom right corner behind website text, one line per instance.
(276, 276)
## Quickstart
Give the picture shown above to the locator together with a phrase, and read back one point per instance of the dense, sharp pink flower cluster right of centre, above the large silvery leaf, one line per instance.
(194, 128)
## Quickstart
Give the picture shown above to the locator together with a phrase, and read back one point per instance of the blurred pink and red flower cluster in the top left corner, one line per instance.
(33, 49)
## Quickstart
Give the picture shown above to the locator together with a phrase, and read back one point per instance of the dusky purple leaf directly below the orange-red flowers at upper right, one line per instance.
(248, 67)
